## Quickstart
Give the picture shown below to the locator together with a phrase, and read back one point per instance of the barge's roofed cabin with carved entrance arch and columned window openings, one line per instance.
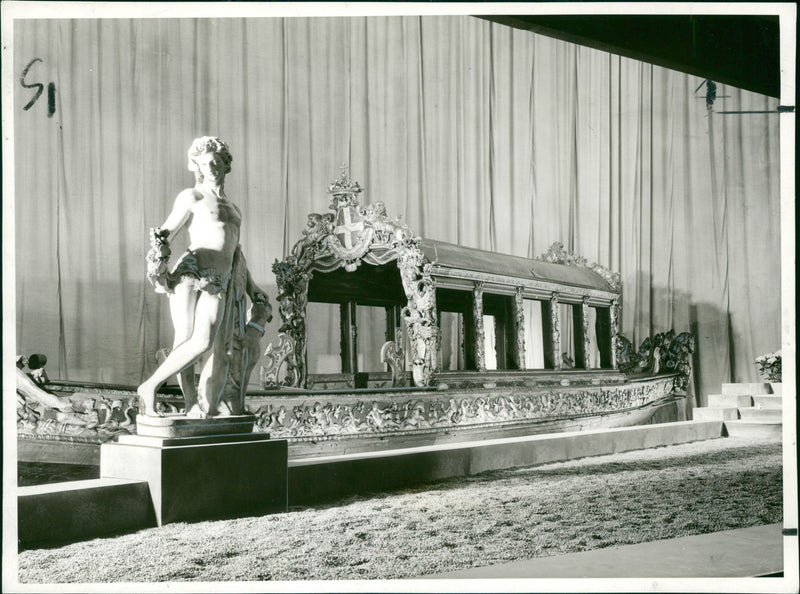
(445, 307)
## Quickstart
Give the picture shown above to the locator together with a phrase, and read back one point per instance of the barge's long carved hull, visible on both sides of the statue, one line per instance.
(96, 417)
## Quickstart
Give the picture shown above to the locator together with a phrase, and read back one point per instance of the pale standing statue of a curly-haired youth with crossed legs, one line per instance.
(207, 289)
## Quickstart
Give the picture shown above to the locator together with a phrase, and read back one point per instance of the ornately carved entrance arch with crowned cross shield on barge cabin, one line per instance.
(344, 239)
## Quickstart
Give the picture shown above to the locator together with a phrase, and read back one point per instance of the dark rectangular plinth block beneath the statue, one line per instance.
(203, 477)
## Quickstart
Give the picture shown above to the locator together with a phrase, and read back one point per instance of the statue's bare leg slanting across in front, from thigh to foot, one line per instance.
(207, 320)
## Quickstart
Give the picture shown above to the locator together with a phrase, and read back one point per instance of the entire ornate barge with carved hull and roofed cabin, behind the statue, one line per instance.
(437, 343)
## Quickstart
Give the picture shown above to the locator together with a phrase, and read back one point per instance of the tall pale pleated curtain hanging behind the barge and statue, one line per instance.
(473, 132)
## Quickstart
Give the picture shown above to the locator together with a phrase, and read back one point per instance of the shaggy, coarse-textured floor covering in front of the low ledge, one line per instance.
(496, 517)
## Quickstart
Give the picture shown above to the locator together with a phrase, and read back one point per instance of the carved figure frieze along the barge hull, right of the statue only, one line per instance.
(331, 417)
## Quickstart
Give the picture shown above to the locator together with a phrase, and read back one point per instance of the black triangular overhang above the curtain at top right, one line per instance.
(742, 51)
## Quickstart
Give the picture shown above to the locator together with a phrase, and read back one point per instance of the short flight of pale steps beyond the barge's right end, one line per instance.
(746, 410)
